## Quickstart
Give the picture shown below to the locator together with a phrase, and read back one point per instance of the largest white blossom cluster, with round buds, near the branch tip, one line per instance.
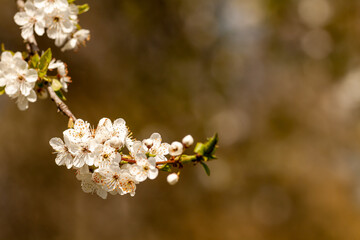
(100, 160)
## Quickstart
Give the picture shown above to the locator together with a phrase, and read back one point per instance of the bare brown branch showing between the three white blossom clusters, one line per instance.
(32, 48)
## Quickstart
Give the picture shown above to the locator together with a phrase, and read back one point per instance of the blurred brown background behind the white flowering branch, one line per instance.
(279, 80)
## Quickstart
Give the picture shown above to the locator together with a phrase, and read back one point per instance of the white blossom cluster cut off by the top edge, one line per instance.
(58, 17)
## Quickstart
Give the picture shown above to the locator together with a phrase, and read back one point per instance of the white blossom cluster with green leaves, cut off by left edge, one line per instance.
(21, 80)
